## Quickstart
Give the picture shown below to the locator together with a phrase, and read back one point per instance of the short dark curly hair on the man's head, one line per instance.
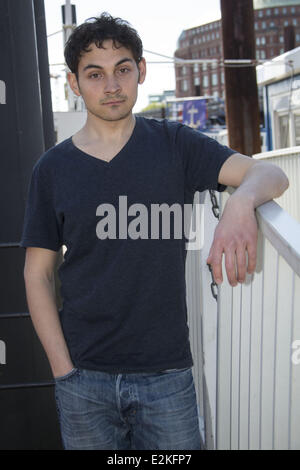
(96, 30)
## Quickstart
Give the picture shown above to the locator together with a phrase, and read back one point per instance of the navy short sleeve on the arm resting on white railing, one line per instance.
(202, 158)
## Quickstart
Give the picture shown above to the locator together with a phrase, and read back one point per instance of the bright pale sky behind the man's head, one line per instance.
(158, 22)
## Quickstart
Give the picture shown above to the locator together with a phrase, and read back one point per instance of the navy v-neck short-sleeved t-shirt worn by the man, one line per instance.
(124, 298)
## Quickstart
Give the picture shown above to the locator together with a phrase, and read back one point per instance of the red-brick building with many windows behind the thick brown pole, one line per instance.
(272, 19)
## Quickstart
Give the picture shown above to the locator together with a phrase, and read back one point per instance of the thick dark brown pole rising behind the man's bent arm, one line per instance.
(242, 107)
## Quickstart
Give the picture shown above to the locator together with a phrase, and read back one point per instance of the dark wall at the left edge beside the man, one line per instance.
(27, 408)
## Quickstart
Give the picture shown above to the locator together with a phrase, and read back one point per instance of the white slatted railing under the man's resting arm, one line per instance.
(247, 385)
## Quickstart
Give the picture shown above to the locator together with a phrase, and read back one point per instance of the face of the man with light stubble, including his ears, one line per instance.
(108, 79)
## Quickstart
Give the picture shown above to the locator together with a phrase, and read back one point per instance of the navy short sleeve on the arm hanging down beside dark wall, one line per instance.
(41, 227)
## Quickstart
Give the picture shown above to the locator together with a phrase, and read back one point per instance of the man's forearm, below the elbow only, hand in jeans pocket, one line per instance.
(42, 306)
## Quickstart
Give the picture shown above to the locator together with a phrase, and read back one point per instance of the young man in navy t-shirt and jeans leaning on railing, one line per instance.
(119, 348)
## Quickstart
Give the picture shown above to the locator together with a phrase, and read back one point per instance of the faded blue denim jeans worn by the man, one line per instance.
(99, 410)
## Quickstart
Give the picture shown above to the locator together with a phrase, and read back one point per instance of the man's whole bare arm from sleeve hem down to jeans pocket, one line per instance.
(40, 293)
